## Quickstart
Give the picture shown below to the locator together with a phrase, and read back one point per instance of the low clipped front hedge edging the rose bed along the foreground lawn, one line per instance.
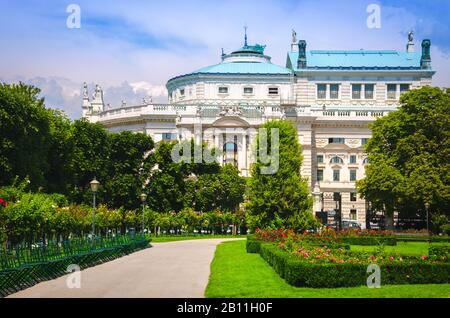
(302, 274)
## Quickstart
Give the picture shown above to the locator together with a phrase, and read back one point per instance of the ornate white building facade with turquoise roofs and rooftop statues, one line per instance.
(331, 97)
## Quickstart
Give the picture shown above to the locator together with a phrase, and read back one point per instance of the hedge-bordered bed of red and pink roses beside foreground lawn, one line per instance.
(307, 261)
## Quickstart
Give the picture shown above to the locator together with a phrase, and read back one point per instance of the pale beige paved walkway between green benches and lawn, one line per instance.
(173, 269)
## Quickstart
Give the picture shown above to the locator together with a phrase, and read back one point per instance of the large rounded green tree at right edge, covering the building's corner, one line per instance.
(409, 156)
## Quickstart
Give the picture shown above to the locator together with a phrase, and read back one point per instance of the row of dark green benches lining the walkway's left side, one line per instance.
(25, 266)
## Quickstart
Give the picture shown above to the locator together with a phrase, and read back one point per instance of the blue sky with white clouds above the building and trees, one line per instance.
(132, 48)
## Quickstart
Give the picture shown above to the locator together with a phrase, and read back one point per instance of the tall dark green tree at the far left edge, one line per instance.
(25, 135)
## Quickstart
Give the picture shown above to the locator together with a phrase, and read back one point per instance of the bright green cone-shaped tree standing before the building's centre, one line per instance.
(280, 198)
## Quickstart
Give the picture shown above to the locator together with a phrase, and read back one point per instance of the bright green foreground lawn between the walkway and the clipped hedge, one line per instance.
(235, 273)
